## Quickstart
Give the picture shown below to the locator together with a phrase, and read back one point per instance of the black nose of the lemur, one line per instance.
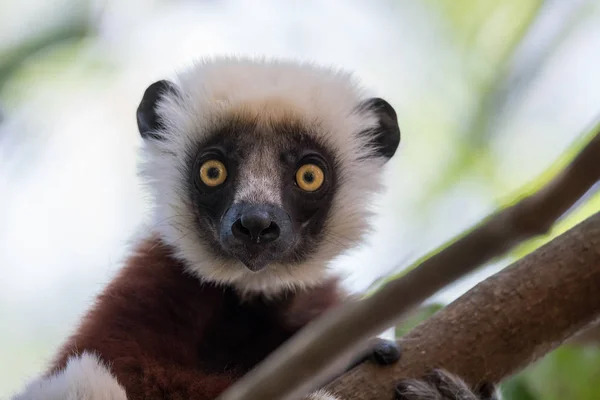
(255, 226)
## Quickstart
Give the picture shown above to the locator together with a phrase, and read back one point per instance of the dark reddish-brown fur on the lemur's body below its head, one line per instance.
(162, 331)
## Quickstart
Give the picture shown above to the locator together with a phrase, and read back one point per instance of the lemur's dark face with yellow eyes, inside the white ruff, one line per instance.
(265, 191)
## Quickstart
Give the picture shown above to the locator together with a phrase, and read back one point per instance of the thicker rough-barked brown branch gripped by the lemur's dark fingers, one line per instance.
(503, 323)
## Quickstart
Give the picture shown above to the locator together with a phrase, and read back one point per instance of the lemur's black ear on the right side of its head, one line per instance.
(386, 135)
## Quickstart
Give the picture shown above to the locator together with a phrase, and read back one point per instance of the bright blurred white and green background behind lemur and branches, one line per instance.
(491, 95)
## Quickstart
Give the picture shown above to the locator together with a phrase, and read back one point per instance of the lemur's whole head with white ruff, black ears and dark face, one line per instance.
(263, 171)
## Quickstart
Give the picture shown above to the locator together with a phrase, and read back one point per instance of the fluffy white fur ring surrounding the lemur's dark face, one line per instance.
(266, 91)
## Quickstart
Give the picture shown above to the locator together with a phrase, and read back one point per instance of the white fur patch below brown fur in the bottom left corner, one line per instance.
(84, 378)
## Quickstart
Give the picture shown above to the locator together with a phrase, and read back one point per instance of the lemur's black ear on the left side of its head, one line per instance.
(147, 118)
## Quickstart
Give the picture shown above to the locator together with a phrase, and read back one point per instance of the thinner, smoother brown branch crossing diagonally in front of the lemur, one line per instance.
(299, 363)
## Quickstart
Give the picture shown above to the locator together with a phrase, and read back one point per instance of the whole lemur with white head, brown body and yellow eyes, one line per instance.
(262, 172)
